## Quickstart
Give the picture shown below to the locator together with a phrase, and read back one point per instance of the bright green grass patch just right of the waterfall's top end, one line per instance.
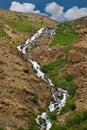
(65, 35)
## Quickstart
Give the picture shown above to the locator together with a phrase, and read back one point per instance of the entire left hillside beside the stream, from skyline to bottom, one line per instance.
(20, 89)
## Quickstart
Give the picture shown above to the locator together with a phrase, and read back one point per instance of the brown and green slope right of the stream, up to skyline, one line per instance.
(70, 66)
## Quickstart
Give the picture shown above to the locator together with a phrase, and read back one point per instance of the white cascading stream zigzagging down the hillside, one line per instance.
(59, 95)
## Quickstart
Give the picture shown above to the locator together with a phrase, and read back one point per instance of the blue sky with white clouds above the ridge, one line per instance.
(60, 10)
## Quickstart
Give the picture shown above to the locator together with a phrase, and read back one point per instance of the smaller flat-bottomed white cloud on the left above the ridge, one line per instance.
(25, 7)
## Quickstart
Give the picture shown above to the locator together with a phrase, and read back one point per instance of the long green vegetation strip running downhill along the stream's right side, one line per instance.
(65, 36)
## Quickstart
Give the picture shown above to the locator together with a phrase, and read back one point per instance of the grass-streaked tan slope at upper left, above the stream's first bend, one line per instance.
(15, 27)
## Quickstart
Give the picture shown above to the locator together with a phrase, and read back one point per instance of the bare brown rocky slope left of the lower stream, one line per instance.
(20, 96)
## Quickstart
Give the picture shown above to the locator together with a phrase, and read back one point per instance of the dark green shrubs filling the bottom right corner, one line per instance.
(77, 121)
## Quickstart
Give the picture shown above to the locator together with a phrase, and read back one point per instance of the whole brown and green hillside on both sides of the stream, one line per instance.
(64, 58)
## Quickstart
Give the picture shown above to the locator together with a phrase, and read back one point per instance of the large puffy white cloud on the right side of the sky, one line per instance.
(57, 12)
